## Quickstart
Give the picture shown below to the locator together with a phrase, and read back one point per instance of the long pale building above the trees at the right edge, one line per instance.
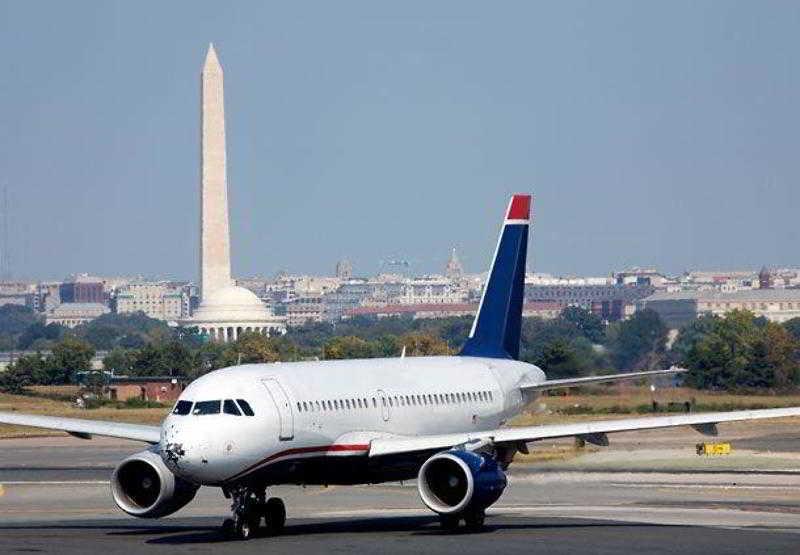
(679, 308)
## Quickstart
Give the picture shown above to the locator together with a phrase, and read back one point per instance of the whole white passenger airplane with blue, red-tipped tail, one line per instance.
(437, 419)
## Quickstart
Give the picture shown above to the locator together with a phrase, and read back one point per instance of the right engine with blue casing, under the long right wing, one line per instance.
(453, 481)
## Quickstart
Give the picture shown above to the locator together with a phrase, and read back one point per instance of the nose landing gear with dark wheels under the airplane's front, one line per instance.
(249, 508)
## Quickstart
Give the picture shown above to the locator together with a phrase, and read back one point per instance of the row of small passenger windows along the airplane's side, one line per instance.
(417, 400)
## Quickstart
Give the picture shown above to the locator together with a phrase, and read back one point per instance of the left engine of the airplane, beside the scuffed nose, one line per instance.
(144, 487)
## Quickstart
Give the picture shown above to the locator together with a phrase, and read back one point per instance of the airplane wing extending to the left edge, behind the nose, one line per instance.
(85, 429)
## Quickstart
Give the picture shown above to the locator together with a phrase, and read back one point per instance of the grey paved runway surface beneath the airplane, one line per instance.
(54, 498)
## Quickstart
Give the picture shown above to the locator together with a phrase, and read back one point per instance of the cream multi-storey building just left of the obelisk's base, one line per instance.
(157, 300)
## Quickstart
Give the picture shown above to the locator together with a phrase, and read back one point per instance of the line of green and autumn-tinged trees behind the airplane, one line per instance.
(738, 351)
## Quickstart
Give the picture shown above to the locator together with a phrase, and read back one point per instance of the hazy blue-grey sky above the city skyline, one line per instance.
(650, 133)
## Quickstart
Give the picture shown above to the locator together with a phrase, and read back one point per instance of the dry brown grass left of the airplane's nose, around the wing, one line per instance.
(48, 407)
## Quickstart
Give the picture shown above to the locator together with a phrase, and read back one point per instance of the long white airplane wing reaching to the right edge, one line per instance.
(594, 432)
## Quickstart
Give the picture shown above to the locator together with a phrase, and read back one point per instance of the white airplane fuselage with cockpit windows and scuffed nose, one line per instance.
(312, 422)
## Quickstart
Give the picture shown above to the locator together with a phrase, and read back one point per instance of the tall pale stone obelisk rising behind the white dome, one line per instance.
(215, 259)
